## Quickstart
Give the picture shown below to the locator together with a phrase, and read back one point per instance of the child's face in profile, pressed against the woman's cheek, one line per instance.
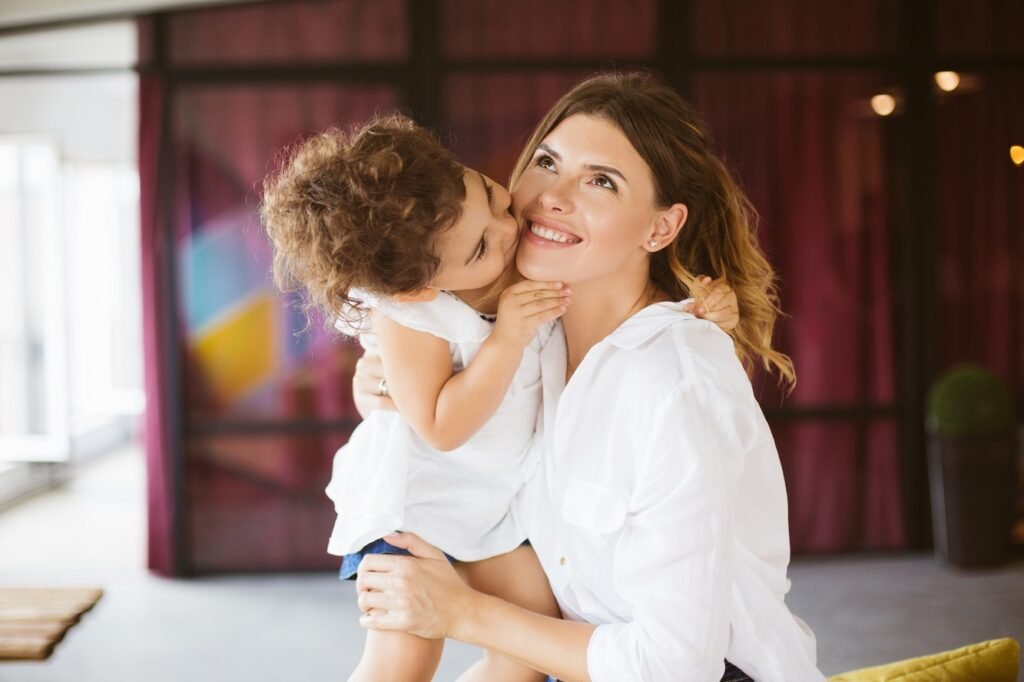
(482, 244)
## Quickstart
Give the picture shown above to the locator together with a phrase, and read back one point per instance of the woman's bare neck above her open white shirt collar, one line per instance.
(599, 309)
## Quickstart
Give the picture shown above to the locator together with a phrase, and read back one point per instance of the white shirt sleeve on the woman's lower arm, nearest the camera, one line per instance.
(673, 563)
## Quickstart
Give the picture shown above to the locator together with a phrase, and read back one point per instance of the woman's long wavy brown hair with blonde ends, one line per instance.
(719, 238)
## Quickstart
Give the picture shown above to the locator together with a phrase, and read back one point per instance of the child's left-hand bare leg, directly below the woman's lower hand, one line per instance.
(398, 657)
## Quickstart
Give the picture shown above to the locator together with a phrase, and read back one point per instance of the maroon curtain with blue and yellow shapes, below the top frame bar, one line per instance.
(254, 501)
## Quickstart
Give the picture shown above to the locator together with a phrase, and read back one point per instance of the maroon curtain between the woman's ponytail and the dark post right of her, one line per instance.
(812, 155)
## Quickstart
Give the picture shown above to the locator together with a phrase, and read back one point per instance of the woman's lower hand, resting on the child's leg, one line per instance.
(420, 594)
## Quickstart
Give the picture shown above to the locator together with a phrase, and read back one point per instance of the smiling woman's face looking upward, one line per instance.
(585, 205)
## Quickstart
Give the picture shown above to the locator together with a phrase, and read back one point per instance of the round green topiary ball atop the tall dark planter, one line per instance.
(970, 401)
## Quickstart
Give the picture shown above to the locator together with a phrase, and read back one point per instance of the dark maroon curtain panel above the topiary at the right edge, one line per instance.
(980, 269)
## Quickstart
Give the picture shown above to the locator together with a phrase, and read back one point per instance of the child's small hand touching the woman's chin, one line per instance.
(526, 306)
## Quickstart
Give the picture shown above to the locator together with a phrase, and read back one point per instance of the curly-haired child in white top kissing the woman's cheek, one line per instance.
(387, 232)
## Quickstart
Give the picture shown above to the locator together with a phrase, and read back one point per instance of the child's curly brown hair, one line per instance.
(361, 210)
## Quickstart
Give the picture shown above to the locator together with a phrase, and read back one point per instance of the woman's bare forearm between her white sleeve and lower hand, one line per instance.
(550, 646)
